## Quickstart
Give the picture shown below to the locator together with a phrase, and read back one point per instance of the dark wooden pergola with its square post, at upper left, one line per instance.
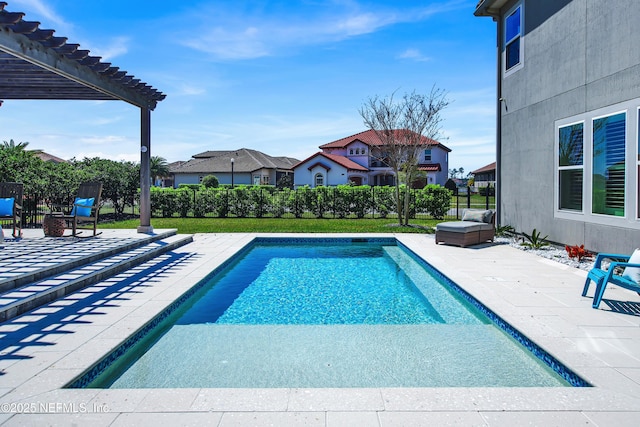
(35, 64)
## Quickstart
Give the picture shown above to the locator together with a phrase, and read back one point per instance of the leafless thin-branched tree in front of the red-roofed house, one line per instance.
(405, 128)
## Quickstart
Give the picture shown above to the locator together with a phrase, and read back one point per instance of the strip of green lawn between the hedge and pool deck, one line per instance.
(279, 225)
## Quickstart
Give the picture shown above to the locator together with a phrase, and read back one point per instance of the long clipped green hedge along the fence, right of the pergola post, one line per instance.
(343, 201)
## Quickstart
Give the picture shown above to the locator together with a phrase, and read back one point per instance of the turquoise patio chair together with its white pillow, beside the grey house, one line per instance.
(623, 271)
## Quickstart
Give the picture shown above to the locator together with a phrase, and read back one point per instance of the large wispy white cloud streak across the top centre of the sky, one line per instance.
(240, 34)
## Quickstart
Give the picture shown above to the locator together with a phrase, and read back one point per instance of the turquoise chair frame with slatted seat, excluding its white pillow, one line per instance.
(603, 277)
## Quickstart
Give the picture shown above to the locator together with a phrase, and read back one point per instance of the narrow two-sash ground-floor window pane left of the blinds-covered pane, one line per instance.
(570, 166)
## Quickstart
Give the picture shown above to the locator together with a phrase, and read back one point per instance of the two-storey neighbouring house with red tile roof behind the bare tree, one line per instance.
(359, 159)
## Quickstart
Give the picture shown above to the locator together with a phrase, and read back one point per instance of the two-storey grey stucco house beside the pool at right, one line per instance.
(568, 100)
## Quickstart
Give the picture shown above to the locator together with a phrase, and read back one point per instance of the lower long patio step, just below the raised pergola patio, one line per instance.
(19, 300)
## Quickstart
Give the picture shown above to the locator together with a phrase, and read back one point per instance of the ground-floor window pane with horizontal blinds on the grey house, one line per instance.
(608, 172)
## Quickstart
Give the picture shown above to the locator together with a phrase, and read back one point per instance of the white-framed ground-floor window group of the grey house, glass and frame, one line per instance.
(597, 170)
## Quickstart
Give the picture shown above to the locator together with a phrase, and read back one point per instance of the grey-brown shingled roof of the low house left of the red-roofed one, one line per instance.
(245, 160)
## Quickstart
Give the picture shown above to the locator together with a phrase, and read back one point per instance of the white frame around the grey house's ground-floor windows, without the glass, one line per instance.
(632, 164)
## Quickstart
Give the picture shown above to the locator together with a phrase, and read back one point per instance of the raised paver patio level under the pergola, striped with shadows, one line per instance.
(46, 257)
